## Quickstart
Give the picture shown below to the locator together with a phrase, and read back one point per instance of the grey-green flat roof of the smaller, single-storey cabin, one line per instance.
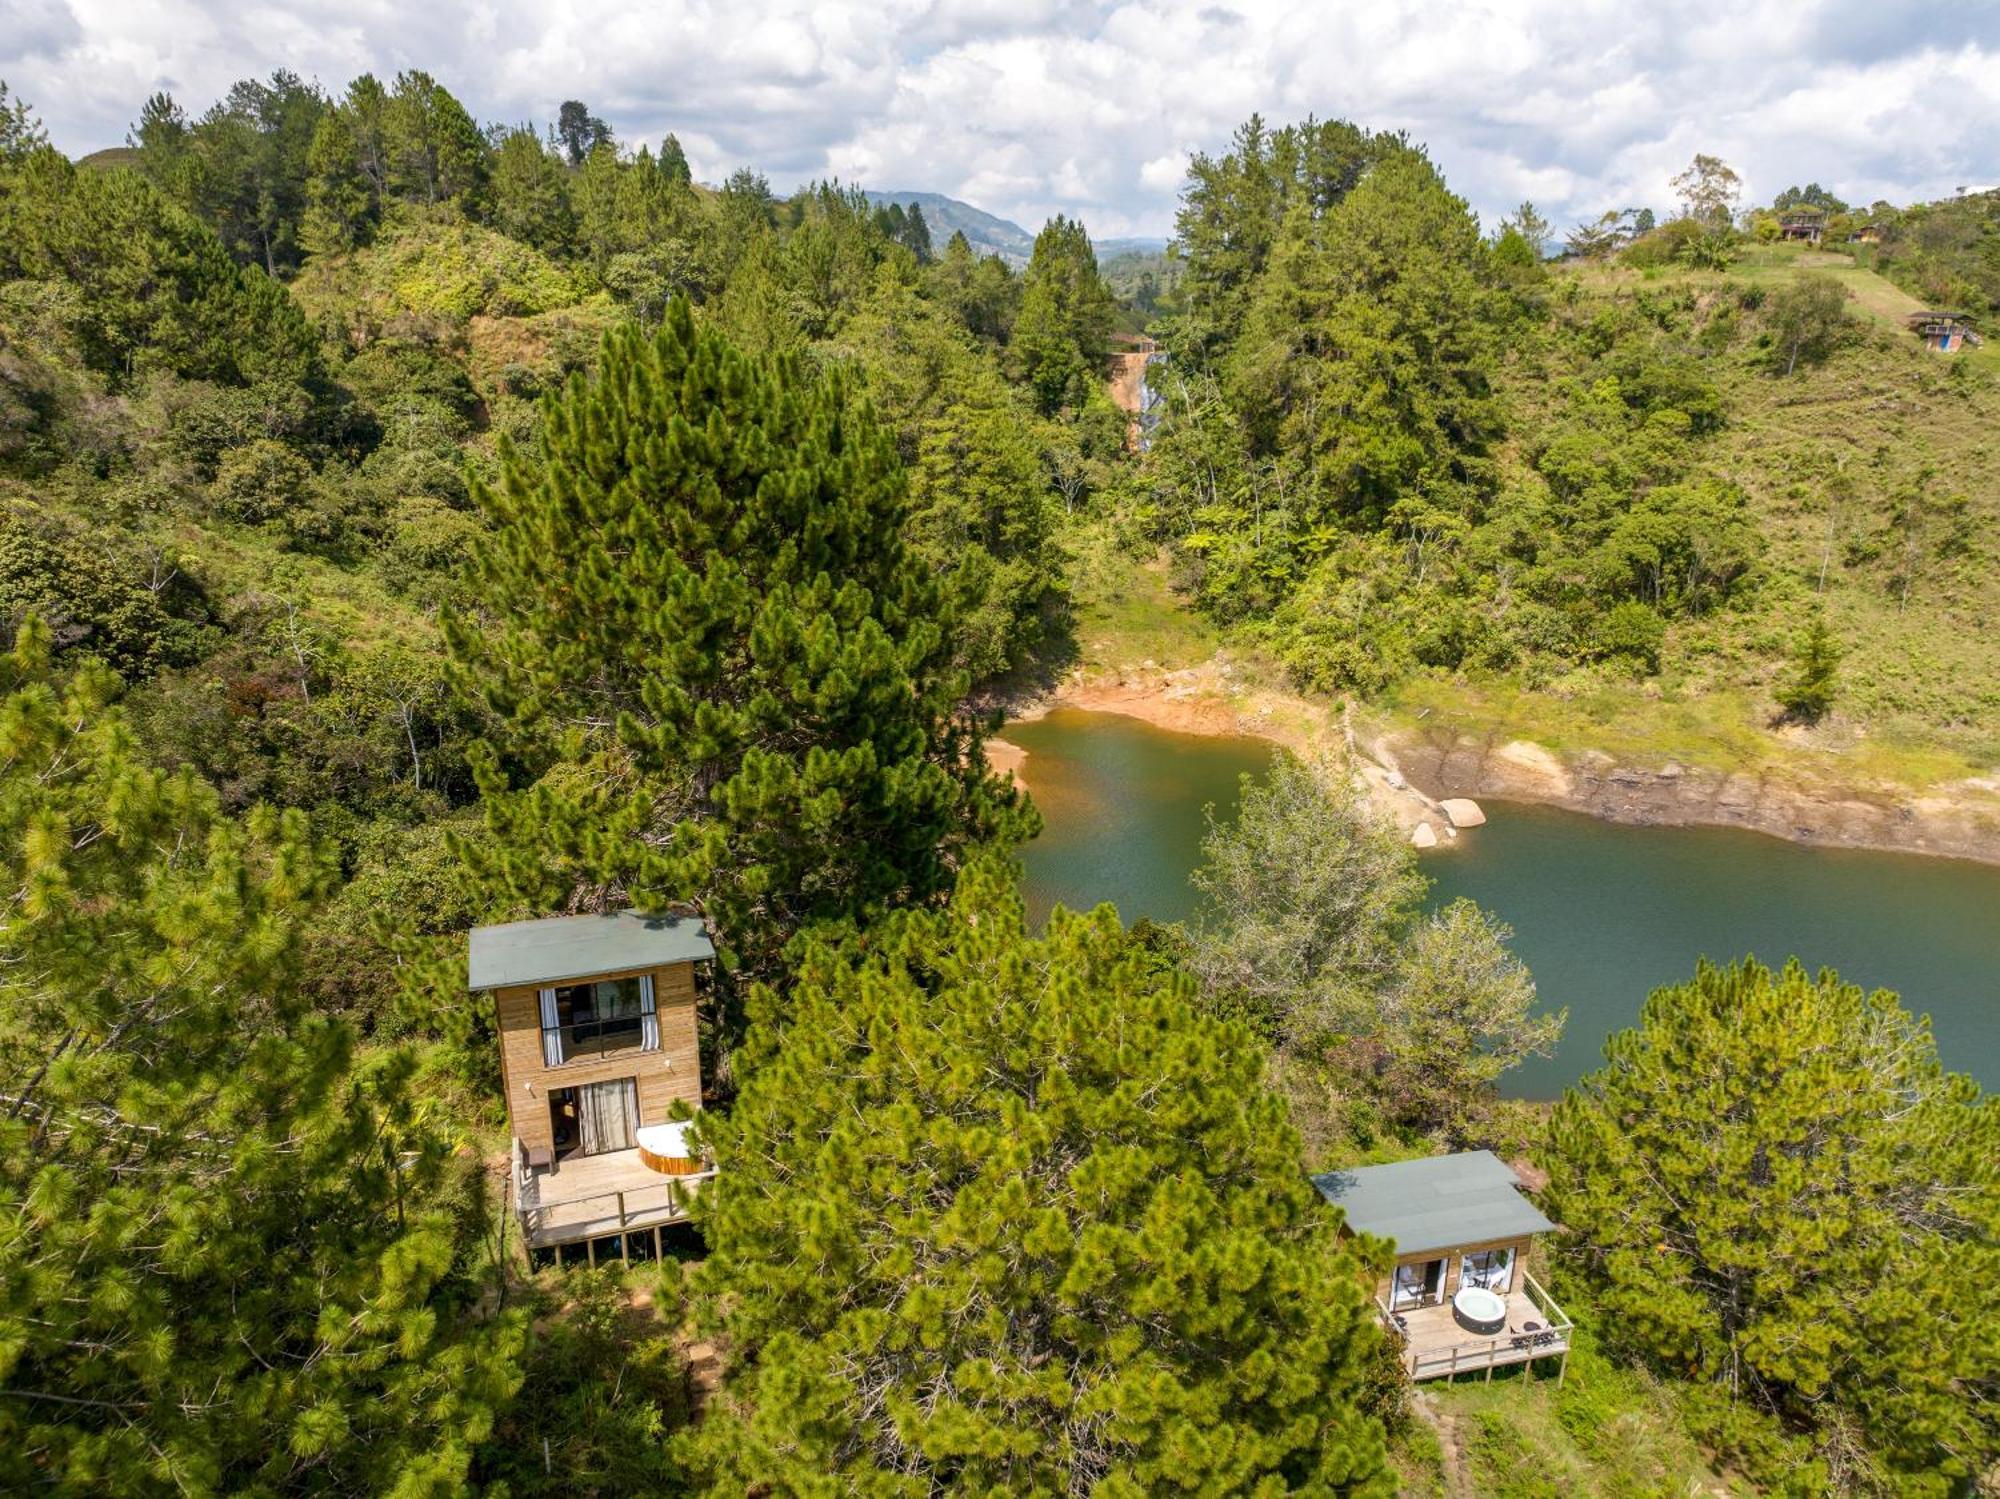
(1435, 1204)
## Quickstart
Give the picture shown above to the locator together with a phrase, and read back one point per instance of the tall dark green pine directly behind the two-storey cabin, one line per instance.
(723, 675)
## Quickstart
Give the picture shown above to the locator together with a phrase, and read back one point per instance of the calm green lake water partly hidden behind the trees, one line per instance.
(1601, 912)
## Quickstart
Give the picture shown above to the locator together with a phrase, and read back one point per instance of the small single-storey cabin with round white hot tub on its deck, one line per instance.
(1459, 1294)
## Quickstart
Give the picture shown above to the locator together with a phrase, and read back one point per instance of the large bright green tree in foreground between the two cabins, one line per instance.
(1005, 1214)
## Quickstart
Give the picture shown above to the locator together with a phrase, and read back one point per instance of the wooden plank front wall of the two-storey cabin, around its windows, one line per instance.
(673, 1072)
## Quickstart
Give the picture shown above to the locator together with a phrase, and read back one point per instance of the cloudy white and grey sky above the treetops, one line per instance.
(1039, 107)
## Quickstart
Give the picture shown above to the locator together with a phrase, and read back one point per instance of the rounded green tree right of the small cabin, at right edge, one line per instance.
(1769, 1184)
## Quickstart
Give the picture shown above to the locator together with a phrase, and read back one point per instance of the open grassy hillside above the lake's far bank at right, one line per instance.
(1873, 485)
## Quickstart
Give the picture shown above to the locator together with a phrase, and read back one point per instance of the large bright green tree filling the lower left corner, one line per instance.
(233, 1256)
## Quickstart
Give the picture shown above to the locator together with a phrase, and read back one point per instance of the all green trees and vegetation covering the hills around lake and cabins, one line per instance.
(411, 523)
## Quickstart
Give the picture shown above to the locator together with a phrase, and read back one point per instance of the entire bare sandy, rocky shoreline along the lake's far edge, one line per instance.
(1409, 774)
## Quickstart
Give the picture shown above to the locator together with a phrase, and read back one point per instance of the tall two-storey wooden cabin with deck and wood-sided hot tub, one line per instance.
(597, 1056)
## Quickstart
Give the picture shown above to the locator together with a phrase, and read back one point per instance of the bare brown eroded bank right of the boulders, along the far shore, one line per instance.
(1959, 820)
